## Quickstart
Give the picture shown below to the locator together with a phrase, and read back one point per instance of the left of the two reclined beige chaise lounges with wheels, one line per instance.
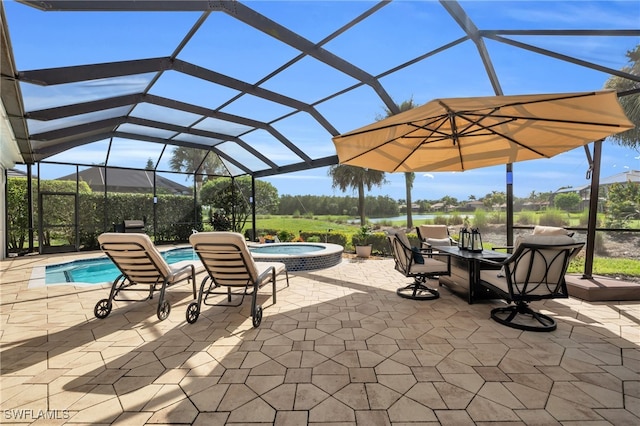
(141, 265)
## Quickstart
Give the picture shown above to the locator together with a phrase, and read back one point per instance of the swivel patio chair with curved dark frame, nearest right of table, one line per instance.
(535, 271)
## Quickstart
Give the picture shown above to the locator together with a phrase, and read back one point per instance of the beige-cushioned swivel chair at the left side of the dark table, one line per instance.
(419, 264)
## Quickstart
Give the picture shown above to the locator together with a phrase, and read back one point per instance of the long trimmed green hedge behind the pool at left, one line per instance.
(171, 219)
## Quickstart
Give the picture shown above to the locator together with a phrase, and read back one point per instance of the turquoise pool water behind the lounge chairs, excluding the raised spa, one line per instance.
(101, 270)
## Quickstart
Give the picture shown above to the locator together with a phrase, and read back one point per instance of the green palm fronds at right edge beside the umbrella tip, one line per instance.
(631, 103)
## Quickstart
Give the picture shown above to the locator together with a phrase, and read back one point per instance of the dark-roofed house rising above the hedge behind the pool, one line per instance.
(127, 180)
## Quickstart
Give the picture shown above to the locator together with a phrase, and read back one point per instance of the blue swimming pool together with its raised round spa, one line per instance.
(297, 257)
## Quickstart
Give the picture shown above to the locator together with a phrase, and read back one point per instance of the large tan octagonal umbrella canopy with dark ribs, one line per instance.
(459, 134)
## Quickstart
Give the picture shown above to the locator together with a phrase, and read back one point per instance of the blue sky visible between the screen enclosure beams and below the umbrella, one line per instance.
(400, 32)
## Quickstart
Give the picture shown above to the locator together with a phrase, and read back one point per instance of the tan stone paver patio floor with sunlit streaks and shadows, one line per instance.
(339, 347)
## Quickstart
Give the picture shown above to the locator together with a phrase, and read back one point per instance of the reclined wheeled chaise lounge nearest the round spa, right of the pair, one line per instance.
(229, 263)
